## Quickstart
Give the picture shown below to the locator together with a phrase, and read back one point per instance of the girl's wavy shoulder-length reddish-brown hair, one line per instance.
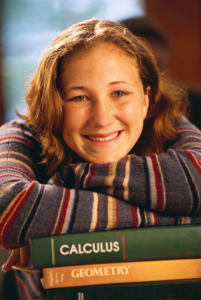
(45, 102)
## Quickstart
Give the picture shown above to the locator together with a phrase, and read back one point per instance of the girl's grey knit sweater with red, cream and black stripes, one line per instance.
(157, 190)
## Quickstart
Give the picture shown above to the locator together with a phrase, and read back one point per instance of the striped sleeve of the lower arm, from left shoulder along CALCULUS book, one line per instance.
(31, 207)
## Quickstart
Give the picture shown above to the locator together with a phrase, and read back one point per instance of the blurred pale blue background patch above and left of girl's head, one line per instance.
(28, 27)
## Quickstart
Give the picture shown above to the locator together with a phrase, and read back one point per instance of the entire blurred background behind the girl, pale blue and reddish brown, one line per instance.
(28, 26)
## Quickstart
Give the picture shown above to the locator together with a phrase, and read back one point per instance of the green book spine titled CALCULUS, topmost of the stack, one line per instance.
(160, 243)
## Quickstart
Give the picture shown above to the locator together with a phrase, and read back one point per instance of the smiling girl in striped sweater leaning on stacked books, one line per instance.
(104, 145)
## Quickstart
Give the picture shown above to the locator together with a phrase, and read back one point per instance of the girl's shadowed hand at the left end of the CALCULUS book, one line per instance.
(19, 258)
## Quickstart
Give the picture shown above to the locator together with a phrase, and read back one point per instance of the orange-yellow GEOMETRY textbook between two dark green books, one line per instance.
(126, 272)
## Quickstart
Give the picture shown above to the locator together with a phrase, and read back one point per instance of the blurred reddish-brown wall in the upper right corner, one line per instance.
(181, 20)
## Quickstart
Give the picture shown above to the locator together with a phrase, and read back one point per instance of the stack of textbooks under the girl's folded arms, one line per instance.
(161, 263)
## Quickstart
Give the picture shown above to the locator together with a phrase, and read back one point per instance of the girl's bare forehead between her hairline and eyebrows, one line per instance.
(103, 61)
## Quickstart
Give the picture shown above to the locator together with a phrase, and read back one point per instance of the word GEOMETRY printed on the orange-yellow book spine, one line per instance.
(95, 272)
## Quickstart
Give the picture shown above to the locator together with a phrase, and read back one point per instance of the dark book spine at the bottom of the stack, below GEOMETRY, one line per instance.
(165, 290)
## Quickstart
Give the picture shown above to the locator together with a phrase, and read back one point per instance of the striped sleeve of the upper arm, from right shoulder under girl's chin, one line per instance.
(169, 182)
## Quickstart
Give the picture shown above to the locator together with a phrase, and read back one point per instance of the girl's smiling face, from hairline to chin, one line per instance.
(105, 104)
